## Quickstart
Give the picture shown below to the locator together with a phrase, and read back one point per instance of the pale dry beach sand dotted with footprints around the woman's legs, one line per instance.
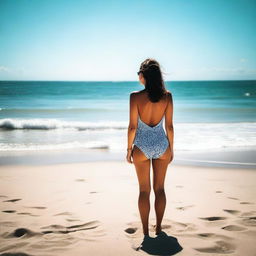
(91, 209)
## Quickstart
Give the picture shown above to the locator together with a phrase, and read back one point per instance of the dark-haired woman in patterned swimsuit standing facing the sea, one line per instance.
(148, 107)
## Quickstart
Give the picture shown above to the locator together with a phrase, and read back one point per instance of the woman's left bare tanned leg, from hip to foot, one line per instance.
(142, 165)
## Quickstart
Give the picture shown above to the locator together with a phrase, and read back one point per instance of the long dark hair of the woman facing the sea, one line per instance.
(154, 83)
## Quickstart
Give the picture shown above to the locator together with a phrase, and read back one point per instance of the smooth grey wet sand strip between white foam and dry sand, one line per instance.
(226, 158)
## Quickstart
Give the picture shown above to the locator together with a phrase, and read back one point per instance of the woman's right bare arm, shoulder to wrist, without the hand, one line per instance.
(168, 120)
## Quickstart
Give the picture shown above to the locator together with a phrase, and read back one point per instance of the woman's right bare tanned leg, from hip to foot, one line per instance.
(159, 169)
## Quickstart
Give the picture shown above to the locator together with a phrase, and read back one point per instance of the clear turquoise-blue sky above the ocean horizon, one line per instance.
(107, 40)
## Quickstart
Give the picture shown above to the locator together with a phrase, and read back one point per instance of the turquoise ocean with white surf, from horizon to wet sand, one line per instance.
(52, 115)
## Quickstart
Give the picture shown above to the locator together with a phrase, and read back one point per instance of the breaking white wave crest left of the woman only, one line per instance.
(49, 124)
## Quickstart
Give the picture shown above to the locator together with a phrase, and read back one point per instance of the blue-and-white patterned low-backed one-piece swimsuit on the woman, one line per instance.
(152, 141)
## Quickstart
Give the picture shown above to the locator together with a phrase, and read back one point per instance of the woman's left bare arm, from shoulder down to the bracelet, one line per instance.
(133, 120)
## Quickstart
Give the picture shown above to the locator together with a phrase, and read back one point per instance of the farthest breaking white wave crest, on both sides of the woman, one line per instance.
(49, 124)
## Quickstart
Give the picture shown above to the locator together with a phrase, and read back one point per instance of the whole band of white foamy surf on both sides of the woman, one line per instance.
(113, 135)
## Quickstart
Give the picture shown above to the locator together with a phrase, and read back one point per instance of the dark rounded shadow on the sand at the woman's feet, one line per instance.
(161, 245)
